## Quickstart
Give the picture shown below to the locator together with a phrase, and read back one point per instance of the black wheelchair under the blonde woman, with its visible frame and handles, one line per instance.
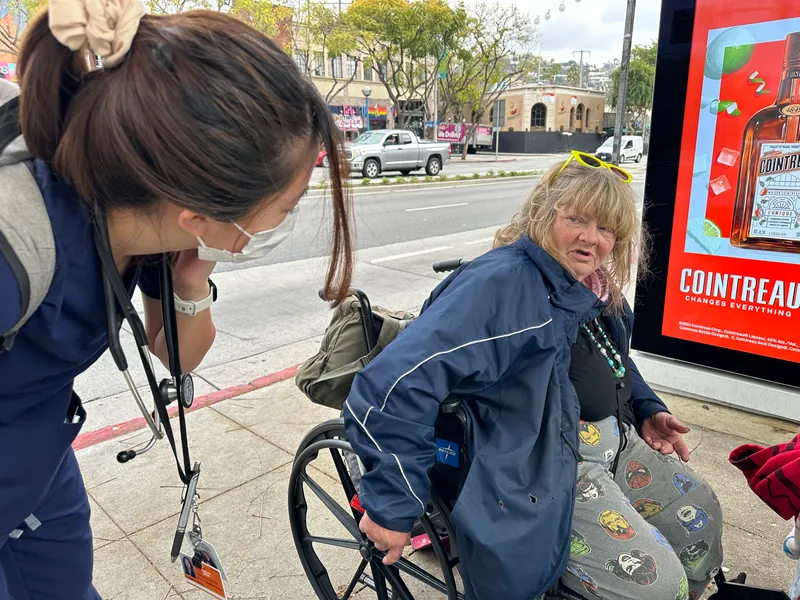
(446, 481)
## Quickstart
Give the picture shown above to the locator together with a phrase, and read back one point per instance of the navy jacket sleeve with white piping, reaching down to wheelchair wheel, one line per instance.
(464, 341)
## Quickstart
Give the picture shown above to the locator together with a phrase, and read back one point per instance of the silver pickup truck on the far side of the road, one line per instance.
(381, 150)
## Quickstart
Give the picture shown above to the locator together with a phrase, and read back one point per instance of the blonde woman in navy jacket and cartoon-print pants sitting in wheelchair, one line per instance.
(573, 473)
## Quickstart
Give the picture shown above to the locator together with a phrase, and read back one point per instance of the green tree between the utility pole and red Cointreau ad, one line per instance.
(641, 78)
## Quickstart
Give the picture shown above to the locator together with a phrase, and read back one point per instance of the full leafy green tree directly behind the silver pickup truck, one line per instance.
(404, 42)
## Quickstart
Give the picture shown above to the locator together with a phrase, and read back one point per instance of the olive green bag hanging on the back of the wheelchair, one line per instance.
(349, 344)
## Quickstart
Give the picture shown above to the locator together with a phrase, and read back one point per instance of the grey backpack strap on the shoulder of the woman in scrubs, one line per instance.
(26, 236)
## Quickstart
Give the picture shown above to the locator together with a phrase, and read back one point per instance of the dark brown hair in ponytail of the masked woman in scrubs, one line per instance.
(204, 112)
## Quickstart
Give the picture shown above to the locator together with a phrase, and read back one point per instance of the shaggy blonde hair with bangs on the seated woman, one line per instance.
(596, 193)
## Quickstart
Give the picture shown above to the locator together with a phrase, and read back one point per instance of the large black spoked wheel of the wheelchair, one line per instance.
(338, 559)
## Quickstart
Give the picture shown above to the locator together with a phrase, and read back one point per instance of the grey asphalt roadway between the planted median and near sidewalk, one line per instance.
(391, 216)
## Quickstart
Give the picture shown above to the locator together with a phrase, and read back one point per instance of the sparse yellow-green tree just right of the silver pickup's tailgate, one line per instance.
(495, 55)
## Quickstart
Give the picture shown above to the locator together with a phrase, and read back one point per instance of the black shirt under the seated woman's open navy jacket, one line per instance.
(598, 390)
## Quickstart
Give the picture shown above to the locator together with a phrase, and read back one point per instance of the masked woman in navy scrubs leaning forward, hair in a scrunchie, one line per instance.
(197, 137)
